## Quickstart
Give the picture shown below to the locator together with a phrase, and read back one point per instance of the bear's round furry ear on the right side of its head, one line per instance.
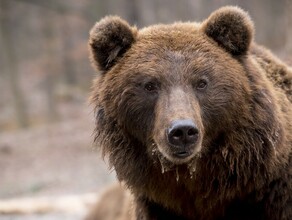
(231, 28)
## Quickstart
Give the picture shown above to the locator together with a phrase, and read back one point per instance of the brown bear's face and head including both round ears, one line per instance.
(173, 88)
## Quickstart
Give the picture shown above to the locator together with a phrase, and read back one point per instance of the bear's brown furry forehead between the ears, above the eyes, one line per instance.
(177, 48)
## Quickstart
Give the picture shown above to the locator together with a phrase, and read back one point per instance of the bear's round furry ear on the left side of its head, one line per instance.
(109, 39)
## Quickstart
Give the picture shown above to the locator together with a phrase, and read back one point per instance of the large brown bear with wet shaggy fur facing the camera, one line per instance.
(195, 118)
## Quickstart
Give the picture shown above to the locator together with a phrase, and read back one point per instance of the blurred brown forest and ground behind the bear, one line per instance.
(45, 78)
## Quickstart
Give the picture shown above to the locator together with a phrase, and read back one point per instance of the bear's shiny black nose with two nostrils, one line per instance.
(182, 133)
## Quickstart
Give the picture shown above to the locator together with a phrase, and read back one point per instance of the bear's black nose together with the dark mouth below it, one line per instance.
(182, 135)
